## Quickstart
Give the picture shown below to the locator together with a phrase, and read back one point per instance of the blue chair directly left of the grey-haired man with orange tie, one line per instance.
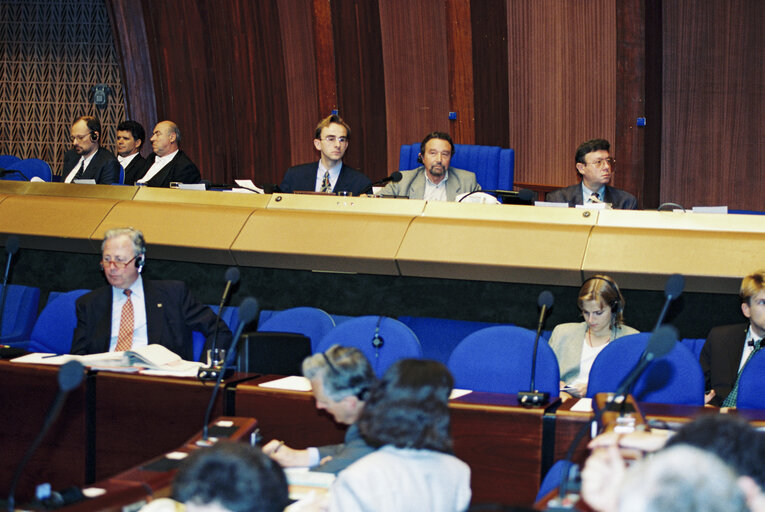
(54, 327)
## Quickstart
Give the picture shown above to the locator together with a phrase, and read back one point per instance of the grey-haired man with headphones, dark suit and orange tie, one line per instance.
(133, 311)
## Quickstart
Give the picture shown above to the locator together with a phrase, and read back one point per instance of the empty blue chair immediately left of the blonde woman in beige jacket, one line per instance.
(498, 360)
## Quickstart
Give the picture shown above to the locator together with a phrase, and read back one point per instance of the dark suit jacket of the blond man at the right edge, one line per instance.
(721, 357)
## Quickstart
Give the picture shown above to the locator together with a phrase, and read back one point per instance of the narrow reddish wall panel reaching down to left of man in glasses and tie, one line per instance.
(295, 18)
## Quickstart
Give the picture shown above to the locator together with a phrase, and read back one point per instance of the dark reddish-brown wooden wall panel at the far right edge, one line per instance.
(713, 124)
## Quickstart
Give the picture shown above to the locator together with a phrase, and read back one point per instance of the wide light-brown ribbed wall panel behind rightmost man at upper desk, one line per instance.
(562, 83)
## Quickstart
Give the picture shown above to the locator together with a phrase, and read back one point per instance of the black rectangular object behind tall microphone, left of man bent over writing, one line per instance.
(279, 353)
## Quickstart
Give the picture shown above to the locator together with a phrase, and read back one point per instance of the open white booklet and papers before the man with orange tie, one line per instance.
(150, 359)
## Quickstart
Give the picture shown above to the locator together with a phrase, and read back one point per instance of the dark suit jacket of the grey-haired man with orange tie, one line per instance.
(171, 314)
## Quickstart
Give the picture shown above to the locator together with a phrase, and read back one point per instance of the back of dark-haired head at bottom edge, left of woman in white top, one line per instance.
(230, 477)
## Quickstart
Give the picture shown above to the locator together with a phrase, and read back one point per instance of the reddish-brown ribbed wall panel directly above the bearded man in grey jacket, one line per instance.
(416, 71)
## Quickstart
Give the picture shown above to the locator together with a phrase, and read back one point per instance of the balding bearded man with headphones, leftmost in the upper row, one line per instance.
(87, 160)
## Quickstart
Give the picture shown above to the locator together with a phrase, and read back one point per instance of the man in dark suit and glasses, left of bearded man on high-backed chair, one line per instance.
(331, 139)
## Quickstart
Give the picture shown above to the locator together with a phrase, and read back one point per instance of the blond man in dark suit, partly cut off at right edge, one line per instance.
(728, 347)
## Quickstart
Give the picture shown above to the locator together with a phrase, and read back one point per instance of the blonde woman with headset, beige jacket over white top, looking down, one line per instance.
(576, 345)
